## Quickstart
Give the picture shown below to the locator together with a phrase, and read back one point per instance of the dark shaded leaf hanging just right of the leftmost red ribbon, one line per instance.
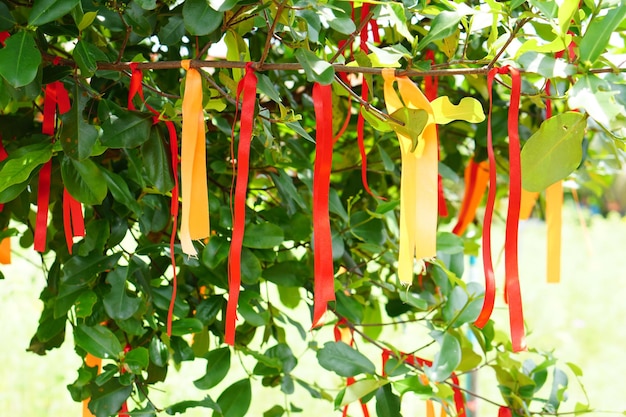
(77, 137)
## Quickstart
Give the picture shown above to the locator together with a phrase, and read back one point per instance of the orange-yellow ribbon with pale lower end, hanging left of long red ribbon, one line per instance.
(195, 196)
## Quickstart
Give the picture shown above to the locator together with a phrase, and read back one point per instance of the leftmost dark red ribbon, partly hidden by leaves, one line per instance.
(55, 95)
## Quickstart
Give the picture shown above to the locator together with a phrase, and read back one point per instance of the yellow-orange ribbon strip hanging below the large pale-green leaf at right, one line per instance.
(554, 209)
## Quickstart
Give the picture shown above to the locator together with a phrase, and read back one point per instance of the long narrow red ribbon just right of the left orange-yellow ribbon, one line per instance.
(247, 87)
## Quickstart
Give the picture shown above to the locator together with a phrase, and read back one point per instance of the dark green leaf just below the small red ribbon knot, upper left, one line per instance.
(123, 128)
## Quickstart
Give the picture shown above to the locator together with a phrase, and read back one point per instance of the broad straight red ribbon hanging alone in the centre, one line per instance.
(323, 249)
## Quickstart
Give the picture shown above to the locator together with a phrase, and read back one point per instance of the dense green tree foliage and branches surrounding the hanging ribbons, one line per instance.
(113, 286)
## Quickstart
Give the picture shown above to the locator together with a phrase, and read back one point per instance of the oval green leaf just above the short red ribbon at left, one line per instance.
(84, 180)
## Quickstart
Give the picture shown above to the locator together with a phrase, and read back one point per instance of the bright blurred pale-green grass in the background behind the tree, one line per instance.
(581, 319)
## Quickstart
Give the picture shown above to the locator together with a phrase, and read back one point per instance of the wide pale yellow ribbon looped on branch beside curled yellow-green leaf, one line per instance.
(418, 181)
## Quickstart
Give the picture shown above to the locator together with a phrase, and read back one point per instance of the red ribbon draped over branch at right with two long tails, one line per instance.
(512, 288)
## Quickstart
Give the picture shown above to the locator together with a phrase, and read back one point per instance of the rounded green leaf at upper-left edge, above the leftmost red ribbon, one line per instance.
(20, 59)
